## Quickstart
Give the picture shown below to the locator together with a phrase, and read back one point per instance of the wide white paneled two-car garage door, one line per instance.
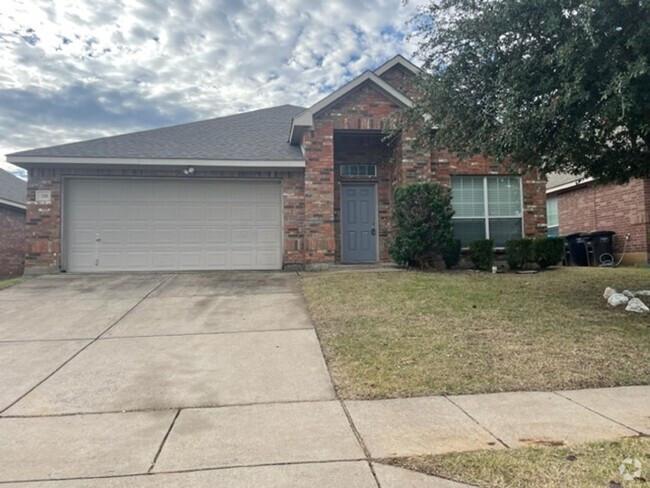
(160, 225)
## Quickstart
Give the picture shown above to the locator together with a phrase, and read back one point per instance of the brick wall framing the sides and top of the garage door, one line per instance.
(43, 234)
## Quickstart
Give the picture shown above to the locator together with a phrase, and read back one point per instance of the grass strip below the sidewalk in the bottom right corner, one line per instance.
(581, 466)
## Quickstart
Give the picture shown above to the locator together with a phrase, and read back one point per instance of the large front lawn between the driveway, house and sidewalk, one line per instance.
(402, 333)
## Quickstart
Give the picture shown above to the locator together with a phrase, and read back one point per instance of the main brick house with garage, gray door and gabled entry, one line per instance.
(274, 188)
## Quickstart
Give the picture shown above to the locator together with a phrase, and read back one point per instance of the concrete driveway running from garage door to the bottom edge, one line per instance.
(197, 379)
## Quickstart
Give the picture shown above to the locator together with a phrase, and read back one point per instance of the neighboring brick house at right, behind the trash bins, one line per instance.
(577, 204)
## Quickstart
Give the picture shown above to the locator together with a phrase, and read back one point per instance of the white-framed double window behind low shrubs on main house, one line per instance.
(487, 207)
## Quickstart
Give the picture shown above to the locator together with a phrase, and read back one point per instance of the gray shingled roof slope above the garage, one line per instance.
(260, 135)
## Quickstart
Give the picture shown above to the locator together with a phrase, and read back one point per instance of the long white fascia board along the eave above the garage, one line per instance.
(27, 161)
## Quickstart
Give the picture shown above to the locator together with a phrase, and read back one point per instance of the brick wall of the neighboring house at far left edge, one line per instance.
(12, 241)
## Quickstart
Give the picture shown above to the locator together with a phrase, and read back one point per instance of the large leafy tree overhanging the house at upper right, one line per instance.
(559, 85)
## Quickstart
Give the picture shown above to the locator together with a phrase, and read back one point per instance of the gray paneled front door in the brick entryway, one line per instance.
(358, 229)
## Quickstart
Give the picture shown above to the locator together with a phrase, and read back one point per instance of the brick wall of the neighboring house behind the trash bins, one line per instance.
(621, 208)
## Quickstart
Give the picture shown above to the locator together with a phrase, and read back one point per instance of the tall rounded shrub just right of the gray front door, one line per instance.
(422, 215)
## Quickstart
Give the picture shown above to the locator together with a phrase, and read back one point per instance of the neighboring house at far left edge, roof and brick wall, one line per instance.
(12, 224)
